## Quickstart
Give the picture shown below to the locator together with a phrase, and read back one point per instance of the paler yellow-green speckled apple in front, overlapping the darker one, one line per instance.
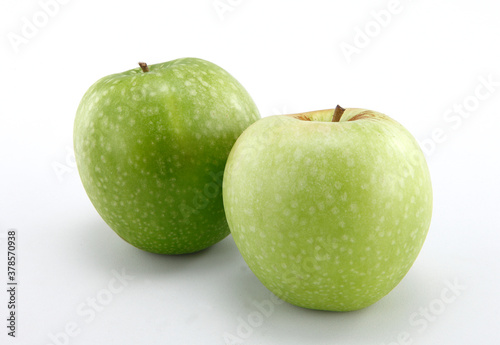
(328, 215)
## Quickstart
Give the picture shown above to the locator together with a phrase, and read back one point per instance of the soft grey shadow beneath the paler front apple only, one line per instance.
(381, 322)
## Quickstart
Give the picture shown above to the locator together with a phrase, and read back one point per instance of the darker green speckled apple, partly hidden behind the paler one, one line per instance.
(151, 149)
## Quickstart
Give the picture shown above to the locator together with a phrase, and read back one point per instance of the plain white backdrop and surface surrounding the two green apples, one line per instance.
(425, 60)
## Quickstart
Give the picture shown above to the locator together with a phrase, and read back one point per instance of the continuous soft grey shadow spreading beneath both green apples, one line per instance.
(236, 291)
